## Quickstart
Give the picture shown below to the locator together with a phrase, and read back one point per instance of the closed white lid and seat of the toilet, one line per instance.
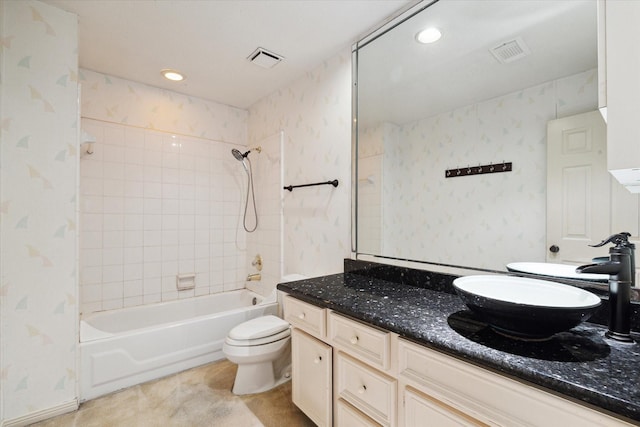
(258, 331)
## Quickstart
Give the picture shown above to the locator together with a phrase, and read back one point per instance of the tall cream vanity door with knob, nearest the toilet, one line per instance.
(311, 377)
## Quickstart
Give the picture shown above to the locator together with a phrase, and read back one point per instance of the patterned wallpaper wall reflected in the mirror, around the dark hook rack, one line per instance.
(471, 220)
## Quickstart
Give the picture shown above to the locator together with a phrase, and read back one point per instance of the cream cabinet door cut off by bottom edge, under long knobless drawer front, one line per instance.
(422, 410)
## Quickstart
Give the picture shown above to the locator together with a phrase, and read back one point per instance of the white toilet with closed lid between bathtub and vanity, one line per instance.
(262, 350)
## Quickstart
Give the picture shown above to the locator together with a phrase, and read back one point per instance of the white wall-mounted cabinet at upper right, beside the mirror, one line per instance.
(619, 93)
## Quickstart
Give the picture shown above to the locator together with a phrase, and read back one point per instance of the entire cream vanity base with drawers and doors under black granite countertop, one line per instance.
(348, 373)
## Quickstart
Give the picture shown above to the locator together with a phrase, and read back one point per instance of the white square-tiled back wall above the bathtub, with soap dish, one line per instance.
(155, 205)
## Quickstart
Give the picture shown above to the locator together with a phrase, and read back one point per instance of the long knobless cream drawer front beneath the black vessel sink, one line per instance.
(486, 397)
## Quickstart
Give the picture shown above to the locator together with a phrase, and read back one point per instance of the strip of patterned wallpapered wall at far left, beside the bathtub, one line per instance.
(38, 289)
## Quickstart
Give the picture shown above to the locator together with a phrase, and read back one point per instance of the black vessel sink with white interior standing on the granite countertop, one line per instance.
(526, 308)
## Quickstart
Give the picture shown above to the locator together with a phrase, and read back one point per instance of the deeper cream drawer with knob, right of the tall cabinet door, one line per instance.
(368, 390)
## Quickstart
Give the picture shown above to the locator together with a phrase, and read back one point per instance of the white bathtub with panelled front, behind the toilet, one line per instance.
(125, 347)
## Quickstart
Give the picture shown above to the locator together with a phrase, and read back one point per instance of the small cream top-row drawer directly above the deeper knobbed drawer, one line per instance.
(360, 340)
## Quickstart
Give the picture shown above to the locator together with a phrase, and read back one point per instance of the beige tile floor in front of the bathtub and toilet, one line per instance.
(197, 397)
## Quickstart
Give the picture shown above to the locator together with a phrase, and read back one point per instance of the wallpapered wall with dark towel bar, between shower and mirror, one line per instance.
(314, 113)
